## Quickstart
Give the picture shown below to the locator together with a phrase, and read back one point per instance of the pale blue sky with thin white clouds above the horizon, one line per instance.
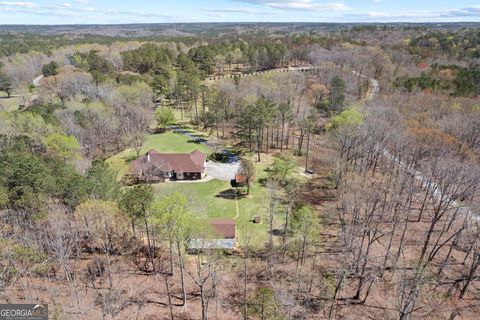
(155, 11)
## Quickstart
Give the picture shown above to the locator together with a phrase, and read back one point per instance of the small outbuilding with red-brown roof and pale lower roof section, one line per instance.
(224, 237)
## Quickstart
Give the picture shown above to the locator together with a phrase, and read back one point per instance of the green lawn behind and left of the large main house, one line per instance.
(168, 142)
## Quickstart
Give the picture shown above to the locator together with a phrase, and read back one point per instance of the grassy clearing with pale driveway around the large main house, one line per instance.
(211, 199)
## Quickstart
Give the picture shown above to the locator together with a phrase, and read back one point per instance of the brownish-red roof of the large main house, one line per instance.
(178, 162)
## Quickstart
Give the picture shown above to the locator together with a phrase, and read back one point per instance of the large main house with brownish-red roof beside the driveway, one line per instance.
(156, 167)
